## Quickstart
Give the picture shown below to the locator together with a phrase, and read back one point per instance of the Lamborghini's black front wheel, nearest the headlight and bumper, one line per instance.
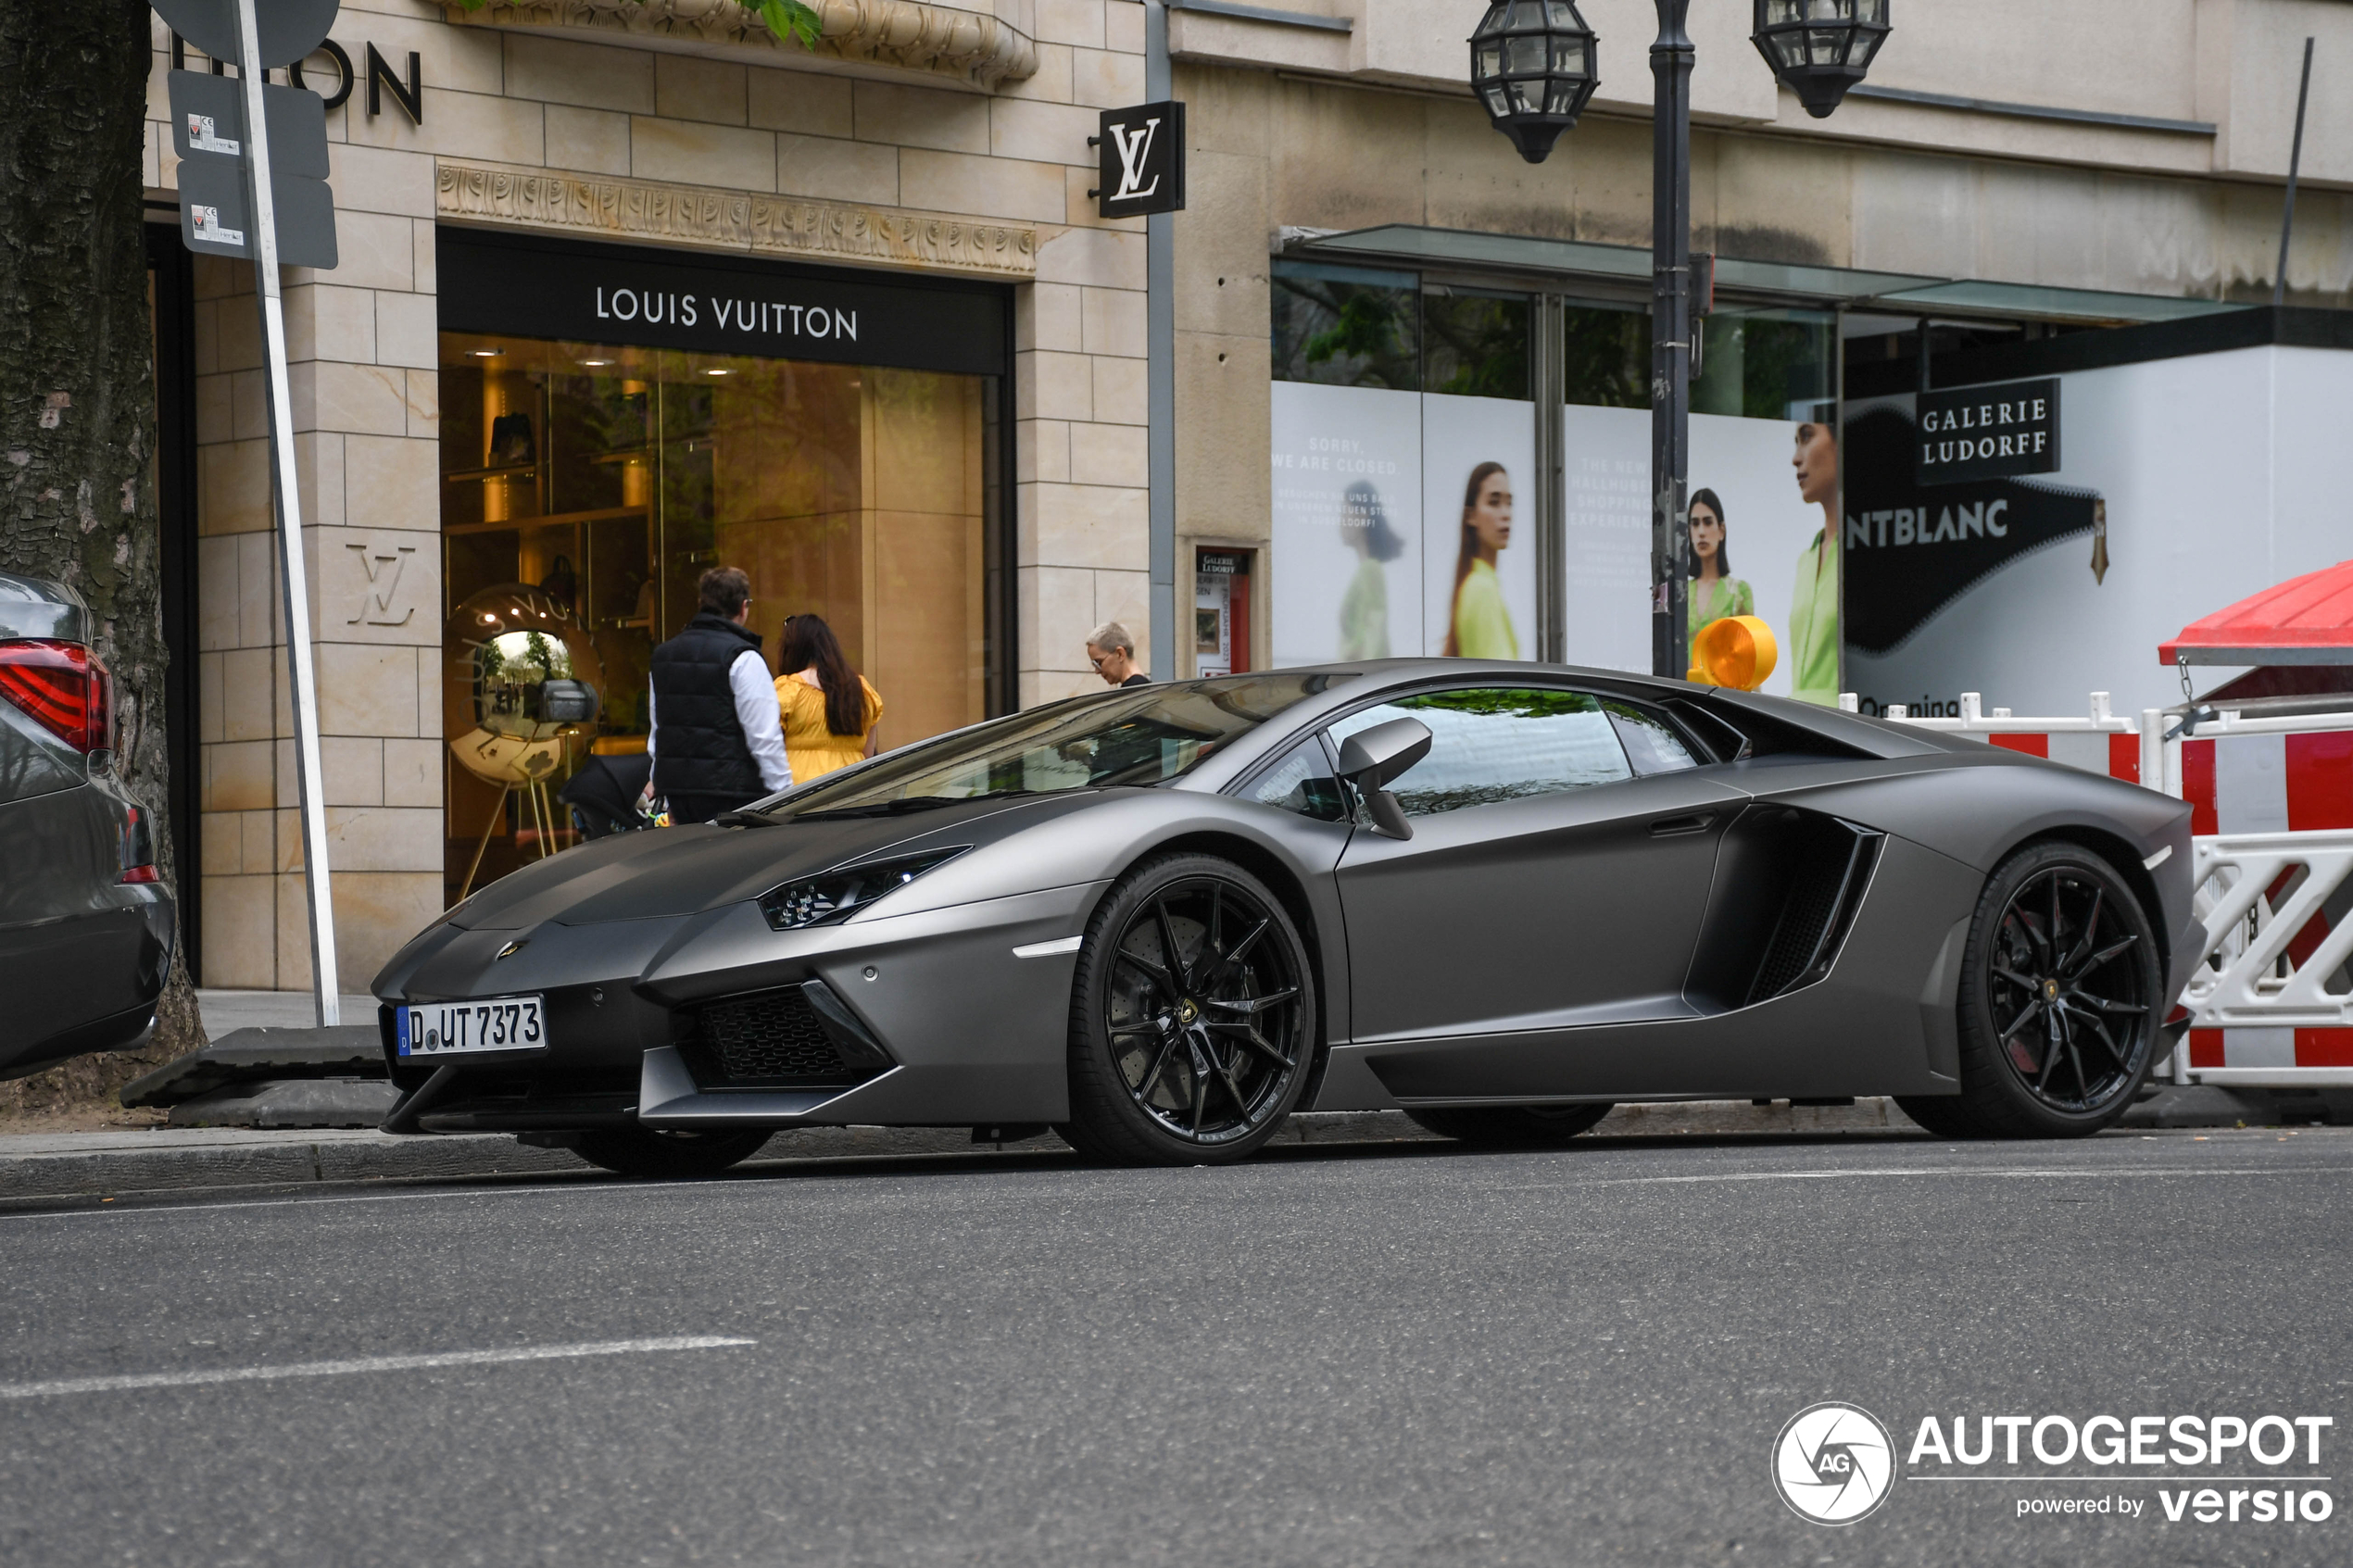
(1192, 1017)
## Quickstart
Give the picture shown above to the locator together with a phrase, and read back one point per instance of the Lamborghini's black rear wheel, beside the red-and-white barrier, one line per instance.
(2060, 1003)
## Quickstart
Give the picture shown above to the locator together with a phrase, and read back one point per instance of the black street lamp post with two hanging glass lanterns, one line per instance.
(1535, 67)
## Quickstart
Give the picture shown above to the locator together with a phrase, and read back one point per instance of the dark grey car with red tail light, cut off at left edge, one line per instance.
(86, 923)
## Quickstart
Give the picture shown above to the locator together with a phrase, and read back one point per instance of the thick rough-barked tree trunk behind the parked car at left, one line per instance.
(79, 403)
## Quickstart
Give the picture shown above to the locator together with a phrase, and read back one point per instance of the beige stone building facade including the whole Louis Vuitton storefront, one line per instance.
(627, 293)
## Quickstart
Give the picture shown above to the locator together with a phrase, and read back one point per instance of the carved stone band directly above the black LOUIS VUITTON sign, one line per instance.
(695, 215)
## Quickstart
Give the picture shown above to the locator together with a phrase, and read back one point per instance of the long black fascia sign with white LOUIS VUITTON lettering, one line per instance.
(587, 293)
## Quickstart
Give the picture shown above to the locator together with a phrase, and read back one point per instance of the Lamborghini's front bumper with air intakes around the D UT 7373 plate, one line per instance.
(935, 1017)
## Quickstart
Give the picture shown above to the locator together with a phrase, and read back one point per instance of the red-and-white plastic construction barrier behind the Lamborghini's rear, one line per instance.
(2272, 800)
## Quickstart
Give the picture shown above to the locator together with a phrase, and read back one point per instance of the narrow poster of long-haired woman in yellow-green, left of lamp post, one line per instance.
(1479, 518)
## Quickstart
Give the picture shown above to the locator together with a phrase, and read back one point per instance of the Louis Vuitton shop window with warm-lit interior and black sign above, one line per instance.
(615, 422)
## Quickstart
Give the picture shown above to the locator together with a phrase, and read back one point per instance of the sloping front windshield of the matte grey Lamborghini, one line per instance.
(1126, 737)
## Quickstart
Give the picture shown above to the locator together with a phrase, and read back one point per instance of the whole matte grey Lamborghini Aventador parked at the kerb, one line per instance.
(1164, 918)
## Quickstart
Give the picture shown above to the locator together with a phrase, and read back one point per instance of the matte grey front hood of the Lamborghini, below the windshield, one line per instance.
(686, 871)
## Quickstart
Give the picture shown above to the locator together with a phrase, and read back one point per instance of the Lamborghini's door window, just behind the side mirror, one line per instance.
(1498, 744)
